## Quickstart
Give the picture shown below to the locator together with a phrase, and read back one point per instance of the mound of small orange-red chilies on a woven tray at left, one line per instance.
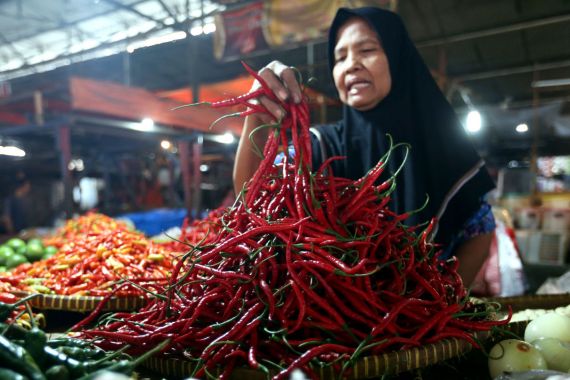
(96, 253)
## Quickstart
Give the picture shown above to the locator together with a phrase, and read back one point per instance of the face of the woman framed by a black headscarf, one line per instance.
(361, 71)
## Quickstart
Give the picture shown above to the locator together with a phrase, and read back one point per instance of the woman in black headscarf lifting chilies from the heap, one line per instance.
(386, 89)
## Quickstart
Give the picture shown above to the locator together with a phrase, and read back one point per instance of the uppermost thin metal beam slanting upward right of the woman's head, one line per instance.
(492, 31)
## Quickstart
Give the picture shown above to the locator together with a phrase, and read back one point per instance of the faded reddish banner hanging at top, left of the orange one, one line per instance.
(240, 31)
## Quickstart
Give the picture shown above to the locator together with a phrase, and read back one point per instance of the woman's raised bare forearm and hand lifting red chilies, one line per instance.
(282, 81)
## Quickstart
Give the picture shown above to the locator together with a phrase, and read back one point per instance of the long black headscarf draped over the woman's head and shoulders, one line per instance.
(416, 112)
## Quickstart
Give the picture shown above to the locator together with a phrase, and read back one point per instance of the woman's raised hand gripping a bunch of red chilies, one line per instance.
(282, 81)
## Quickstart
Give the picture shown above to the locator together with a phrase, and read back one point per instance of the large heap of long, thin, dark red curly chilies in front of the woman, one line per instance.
(308, 270)
